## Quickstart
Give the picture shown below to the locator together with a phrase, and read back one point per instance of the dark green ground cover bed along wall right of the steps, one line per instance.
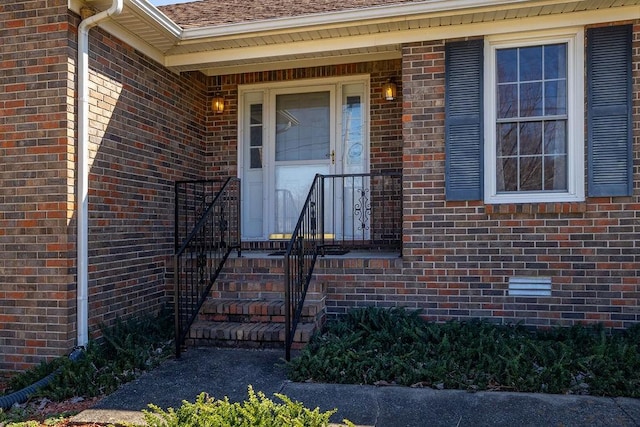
(396, 346)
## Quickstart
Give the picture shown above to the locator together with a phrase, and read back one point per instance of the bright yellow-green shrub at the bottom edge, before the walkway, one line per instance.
(256, 411)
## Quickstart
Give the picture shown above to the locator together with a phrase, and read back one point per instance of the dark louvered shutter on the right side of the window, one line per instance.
(609, 111)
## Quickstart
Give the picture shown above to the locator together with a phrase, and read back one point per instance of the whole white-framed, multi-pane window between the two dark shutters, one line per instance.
(533, 120)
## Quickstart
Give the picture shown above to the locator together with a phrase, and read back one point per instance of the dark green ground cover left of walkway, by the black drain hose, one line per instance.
(123, 351)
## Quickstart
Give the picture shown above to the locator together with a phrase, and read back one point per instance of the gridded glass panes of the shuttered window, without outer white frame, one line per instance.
(531, 112)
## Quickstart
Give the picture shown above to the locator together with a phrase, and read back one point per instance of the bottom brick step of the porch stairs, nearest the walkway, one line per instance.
(242, 334)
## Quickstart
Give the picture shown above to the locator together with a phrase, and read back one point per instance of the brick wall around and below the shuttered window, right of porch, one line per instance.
(463, 253)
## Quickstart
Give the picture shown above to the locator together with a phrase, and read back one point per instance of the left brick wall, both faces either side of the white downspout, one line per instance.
(147, 130)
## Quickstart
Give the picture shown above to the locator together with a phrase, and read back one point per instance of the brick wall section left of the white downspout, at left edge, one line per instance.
(36, 170)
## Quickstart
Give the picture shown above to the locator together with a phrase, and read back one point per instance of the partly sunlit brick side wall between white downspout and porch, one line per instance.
(148, 130)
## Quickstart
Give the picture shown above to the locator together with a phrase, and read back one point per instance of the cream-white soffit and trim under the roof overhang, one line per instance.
(332, 38)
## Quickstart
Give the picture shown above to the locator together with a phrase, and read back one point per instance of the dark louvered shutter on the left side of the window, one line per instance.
(463, 120)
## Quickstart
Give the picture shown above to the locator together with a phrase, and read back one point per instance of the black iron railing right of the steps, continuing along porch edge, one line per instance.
(352, 211)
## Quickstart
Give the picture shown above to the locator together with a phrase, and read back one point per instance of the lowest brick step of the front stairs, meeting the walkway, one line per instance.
(248, 332)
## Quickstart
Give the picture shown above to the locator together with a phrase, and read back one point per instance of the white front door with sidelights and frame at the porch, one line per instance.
(288, 134)
